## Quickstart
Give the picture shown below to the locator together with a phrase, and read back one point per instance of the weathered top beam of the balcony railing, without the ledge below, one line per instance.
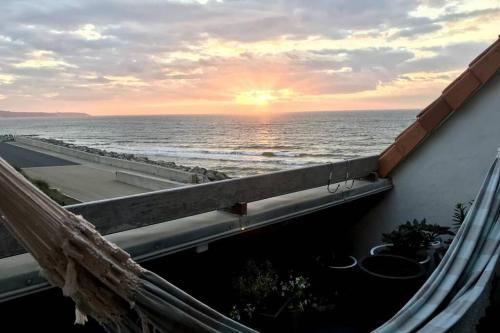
(135, 211)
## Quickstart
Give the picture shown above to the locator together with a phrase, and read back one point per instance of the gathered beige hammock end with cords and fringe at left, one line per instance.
(102, 279)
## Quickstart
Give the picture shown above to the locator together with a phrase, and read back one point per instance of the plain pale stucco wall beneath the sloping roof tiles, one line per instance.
(447, 168)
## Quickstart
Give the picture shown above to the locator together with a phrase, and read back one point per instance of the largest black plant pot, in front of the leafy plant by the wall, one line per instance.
(388, 282)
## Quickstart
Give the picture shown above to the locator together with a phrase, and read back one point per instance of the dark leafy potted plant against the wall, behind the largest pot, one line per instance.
(412, 238)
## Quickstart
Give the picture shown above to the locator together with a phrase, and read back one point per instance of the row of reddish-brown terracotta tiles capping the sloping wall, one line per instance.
(480, 70)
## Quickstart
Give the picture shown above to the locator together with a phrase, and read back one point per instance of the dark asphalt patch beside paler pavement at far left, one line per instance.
(24, 158)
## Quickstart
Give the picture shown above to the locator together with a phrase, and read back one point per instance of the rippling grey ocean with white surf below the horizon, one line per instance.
(234, 144)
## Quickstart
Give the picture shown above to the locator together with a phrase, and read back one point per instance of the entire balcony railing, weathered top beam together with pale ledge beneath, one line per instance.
(155, 224)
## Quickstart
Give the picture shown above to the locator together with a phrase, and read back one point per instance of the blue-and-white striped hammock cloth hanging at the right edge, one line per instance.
(455, 295)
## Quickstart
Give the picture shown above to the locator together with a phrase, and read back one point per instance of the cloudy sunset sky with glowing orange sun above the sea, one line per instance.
(232, 56)
